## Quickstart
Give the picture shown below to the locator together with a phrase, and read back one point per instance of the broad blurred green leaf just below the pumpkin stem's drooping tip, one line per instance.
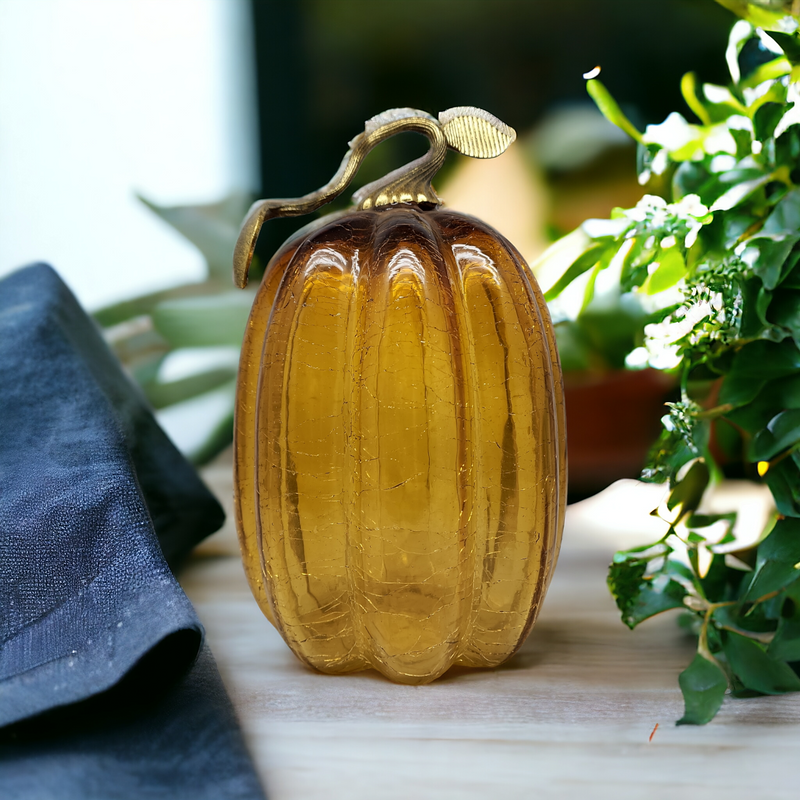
(204, 321)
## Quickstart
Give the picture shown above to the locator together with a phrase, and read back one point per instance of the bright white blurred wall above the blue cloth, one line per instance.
(103, 98)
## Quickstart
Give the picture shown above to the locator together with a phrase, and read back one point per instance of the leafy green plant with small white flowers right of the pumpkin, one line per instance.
(712, 254)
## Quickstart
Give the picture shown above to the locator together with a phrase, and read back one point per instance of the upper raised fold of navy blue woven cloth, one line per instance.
(86, 596)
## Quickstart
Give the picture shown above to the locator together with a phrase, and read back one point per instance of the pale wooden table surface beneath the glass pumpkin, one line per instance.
(569, 716)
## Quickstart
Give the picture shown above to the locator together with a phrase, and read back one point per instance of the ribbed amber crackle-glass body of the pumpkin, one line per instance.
(399, 438)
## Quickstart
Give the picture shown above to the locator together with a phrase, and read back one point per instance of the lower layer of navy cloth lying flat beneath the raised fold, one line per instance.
(183, 744)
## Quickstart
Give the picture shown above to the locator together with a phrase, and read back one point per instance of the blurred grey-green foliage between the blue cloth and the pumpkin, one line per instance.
(199, 317)
